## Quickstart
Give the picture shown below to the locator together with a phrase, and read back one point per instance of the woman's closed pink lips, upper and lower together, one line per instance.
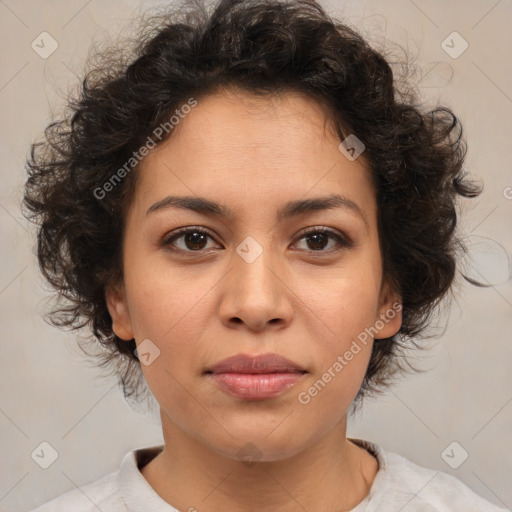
(255, 377)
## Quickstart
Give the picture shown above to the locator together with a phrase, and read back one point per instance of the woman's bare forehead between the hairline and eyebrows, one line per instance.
(239, 148)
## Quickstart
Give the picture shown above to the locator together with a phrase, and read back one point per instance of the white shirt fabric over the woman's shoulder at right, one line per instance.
(401, 484)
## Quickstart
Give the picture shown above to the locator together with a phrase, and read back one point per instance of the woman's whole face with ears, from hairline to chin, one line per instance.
(266, 274)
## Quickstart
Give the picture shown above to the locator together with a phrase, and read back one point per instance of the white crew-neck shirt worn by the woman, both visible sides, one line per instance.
(399, 485)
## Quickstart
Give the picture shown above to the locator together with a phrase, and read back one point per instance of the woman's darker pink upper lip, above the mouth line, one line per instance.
(262, 363)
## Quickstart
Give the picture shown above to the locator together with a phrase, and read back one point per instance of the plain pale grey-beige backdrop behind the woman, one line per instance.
(50, 394)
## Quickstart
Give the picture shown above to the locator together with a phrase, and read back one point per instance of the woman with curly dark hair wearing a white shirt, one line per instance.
(255, 221)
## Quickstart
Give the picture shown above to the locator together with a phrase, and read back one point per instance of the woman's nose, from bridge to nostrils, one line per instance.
(256, 293)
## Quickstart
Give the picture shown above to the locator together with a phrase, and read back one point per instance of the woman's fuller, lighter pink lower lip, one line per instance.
(255, 386)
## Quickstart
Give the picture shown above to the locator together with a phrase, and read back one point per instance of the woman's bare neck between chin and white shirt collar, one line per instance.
(330, 474)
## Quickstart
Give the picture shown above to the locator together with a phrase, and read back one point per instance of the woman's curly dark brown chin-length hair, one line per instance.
(415, 156)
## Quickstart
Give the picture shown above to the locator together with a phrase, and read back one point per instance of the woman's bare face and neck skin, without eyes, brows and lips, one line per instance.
(303, 302)
